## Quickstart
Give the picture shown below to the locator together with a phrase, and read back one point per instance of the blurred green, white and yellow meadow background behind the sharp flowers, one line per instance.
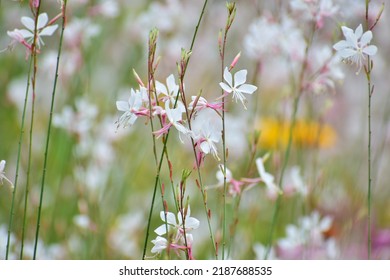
(100, 180)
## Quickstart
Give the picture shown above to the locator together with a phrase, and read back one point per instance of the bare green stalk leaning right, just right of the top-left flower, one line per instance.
(46, 153)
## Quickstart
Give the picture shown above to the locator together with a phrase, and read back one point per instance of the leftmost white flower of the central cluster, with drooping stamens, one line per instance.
(129, 108)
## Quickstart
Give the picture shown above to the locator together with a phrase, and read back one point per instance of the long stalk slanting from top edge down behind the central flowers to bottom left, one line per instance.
(164, 147)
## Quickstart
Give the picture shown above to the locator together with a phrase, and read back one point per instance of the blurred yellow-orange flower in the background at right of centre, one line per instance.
(307, 134)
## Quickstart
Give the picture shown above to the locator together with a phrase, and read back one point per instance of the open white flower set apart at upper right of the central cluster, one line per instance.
(238, 87)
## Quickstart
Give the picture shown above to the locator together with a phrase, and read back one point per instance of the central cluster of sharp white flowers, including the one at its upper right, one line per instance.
(168, 105)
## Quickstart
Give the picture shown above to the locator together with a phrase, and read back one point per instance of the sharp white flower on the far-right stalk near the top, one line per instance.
(356, 45)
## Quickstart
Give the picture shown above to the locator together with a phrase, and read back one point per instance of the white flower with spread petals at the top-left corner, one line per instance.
(42, 28)
